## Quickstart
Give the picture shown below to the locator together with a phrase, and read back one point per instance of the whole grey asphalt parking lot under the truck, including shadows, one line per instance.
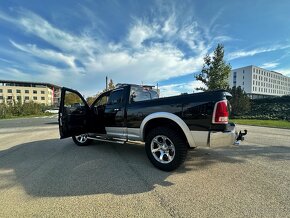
(41, 175)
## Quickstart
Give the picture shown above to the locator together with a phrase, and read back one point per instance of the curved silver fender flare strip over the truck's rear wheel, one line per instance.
(172, 117)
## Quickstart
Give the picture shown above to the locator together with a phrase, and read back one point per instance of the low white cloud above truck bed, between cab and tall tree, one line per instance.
(177, 89)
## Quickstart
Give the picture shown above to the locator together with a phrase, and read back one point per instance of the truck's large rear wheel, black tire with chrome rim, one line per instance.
(172, 160)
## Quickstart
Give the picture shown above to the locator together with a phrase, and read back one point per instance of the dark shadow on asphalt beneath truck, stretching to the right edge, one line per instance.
(53, 168)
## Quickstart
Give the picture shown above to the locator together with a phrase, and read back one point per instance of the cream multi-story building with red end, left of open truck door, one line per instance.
(44, 93)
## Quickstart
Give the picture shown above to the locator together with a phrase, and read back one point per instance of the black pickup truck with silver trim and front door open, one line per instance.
(168, 126)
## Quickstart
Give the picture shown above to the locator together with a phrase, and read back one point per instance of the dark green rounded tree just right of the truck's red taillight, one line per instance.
(240, 102)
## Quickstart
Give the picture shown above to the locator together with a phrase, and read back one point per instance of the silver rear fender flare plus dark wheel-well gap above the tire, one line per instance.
(165, 119)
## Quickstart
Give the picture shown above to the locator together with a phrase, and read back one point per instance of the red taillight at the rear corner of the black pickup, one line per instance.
(220, 113)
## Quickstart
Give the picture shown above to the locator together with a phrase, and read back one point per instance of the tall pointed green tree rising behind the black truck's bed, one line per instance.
(215, 71)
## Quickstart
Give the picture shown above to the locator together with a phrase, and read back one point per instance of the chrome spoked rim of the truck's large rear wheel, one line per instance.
(163, 149)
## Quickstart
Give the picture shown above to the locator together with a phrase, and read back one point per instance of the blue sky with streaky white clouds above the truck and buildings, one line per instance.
(77, 43)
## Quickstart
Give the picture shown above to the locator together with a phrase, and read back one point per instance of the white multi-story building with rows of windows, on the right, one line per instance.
(260, 83)
